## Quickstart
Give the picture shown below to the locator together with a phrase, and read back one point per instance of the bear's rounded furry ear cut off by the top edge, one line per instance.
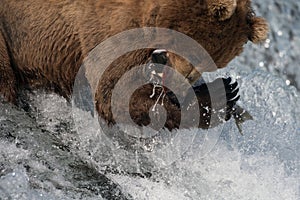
(221, 9)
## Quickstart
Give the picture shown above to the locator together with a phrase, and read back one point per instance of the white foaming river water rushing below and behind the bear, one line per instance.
(42, 155)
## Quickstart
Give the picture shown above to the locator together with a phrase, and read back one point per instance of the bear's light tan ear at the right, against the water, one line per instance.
(259, 30)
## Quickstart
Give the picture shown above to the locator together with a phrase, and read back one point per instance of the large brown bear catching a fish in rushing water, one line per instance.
(44, 43)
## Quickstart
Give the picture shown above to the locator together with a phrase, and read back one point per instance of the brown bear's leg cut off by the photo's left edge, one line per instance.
(7, 76)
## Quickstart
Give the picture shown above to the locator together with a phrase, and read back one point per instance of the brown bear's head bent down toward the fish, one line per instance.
(221, 27)
